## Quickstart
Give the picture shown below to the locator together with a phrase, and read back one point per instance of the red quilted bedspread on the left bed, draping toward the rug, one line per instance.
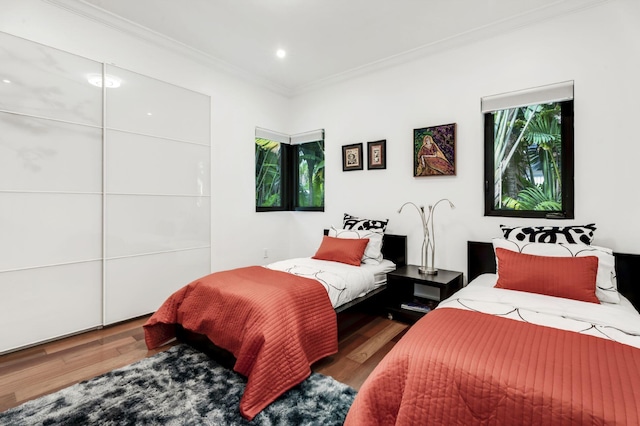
(276, 325)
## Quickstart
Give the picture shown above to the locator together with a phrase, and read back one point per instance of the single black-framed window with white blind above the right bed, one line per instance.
(529, 153)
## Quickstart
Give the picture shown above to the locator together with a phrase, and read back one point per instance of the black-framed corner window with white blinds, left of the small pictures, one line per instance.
(289, 171)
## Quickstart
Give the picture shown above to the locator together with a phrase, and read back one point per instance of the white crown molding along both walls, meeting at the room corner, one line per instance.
(554, 10)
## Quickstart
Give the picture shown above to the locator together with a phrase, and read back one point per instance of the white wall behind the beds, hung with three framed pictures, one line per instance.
(598, 48)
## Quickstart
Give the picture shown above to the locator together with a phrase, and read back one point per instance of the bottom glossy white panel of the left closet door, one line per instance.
(44, 303)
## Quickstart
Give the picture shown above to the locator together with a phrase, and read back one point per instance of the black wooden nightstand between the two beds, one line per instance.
(400, 284)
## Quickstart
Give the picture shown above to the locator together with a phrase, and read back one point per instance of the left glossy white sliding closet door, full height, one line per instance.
(50, 194)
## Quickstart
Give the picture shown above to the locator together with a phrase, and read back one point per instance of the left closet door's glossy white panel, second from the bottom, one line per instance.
(40, 229)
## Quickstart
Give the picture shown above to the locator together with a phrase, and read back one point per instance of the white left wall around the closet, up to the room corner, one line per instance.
(238, 233)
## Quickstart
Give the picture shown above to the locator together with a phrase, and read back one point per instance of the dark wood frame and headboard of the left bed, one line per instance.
(394, 248)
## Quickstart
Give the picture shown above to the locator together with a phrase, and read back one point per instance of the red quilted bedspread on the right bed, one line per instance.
(464, 367)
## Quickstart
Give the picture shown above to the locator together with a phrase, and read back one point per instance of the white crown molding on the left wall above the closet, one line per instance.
(132, 29)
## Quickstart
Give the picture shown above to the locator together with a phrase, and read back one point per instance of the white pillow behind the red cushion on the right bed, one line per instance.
(606, 285)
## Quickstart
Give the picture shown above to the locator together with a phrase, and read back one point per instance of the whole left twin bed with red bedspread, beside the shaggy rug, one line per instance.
(272, 323)
